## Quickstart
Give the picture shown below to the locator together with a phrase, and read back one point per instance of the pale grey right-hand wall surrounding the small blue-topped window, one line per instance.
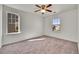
(68, 26)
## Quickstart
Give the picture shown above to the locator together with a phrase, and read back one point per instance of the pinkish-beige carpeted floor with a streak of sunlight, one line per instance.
(42, 45)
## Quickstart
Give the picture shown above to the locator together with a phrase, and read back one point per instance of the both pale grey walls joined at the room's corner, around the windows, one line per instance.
(33, 25)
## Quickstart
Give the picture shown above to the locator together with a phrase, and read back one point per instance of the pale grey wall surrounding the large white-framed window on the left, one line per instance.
(31, 26)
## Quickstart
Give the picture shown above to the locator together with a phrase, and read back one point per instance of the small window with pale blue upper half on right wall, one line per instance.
(56, 24)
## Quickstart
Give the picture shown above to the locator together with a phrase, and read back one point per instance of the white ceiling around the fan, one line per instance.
(31, 8)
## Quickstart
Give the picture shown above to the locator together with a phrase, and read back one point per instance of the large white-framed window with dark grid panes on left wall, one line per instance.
(13, 23)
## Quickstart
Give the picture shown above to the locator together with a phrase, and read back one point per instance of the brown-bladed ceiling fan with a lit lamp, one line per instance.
(43, 8)
